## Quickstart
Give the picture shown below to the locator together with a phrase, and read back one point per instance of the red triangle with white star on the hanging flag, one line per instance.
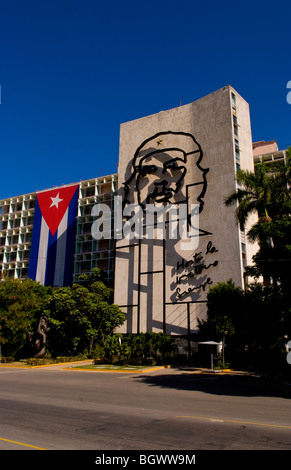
(53, 205)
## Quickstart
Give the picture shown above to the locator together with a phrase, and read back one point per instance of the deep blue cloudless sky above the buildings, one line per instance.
(72, 70)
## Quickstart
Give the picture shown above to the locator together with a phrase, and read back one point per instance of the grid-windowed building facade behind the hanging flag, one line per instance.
(17, 222)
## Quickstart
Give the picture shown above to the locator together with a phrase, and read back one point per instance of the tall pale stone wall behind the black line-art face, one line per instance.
(172, 295)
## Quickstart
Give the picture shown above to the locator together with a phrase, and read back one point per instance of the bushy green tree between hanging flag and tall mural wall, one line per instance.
(82, 315)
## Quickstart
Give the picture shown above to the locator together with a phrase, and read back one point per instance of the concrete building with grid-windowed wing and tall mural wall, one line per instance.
(184, 156)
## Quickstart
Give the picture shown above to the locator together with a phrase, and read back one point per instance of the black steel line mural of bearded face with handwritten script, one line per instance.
(167, 169)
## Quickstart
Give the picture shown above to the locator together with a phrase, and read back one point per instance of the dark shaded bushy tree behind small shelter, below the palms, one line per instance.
(252, 321)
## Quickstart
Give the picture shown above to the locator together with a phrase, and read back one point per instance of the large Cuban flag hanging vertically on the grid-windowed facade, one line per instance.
(53, 236)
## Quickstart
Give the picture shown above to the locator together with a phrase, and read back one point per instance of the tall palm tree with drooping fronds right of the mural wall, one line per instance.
(266, 192)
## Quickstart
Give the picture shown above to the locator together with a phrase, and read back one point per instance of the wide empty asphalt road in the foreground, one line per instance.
(166, 409)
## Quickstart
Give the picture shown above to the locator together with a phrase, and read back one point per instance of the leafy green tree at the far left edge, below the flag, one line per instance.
(22, 303)
